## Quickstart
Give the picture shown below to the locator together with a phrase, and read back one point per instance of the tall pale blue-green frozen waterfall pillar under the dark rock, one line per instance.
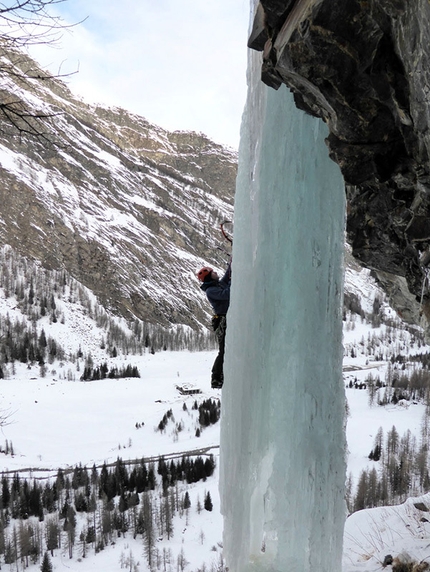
(282, 432)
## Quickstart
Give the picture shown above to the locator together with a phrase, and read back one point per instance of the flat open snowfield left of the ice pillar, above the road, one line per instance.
(58, 423)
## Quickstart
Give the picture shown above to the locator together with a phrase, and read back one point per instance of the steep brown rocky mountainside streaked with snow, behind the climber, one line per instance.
(126, 208)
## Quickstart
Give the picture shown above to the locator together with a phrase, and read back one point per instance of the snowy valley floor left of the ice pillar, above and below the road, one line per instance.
(57, 423)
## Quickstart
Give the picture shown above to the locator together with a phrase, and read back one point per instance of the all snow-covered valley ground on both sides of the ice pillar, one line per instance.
(53, 422)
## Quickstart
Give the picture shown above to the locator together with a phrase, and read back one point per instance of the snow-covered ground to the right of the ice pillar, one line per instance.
(400, 530)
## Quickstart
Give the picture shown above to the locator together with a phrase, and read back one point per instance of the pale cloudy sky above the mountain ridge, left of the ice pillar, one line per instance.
(181, 64)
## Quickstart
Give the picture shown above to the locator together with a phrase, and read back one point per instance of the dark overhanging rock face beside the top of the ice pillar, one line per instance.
(364, 68)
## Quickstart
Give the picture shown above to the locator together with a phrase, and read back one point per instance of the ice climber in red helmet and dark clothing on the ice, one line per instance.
(218, 293)
